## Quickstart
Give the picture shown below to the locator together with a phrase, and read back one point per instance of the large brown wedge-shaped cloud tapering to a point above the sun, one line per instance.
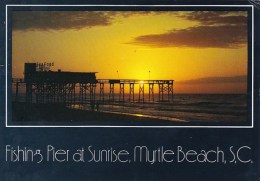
(224, 36)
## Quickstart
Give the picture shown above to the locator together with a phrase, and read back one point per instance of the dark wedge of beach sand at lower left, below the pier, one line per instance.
(59, 113)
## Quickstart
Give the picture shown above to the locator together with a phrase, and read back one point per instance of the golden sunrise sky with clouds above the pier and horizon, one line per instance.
(202, 51)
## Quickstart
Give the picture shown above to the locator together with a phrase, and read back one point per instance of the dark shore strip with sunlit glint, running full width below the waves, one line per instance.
(53, 114)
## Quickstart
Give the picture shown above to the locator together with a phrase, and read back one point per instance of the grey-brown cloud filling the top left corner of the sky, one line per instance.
(58, 20)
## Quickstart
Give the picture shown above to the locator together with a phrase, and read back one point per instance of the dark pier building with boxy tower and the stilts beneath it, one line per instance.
(57, 87)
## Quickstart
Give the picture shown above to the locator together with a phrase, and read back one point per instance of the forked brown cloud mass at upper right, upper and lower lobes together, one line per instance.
(216, 29)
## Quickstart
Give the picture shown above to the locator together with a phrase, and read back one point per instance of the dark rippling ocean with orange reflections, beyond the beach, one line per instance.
(184, 108)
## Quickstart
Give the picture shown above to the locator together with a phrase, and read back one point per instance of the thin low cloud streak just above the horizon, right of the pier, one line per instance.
(207, 80)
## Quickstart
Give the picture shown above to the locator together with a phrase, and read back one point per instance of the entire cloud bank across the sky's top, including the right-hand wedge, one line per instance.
(216, 29)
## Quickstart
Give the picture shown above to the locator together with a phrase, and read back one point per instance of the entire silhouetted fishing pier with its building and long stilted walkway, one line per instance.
(67, 87)
